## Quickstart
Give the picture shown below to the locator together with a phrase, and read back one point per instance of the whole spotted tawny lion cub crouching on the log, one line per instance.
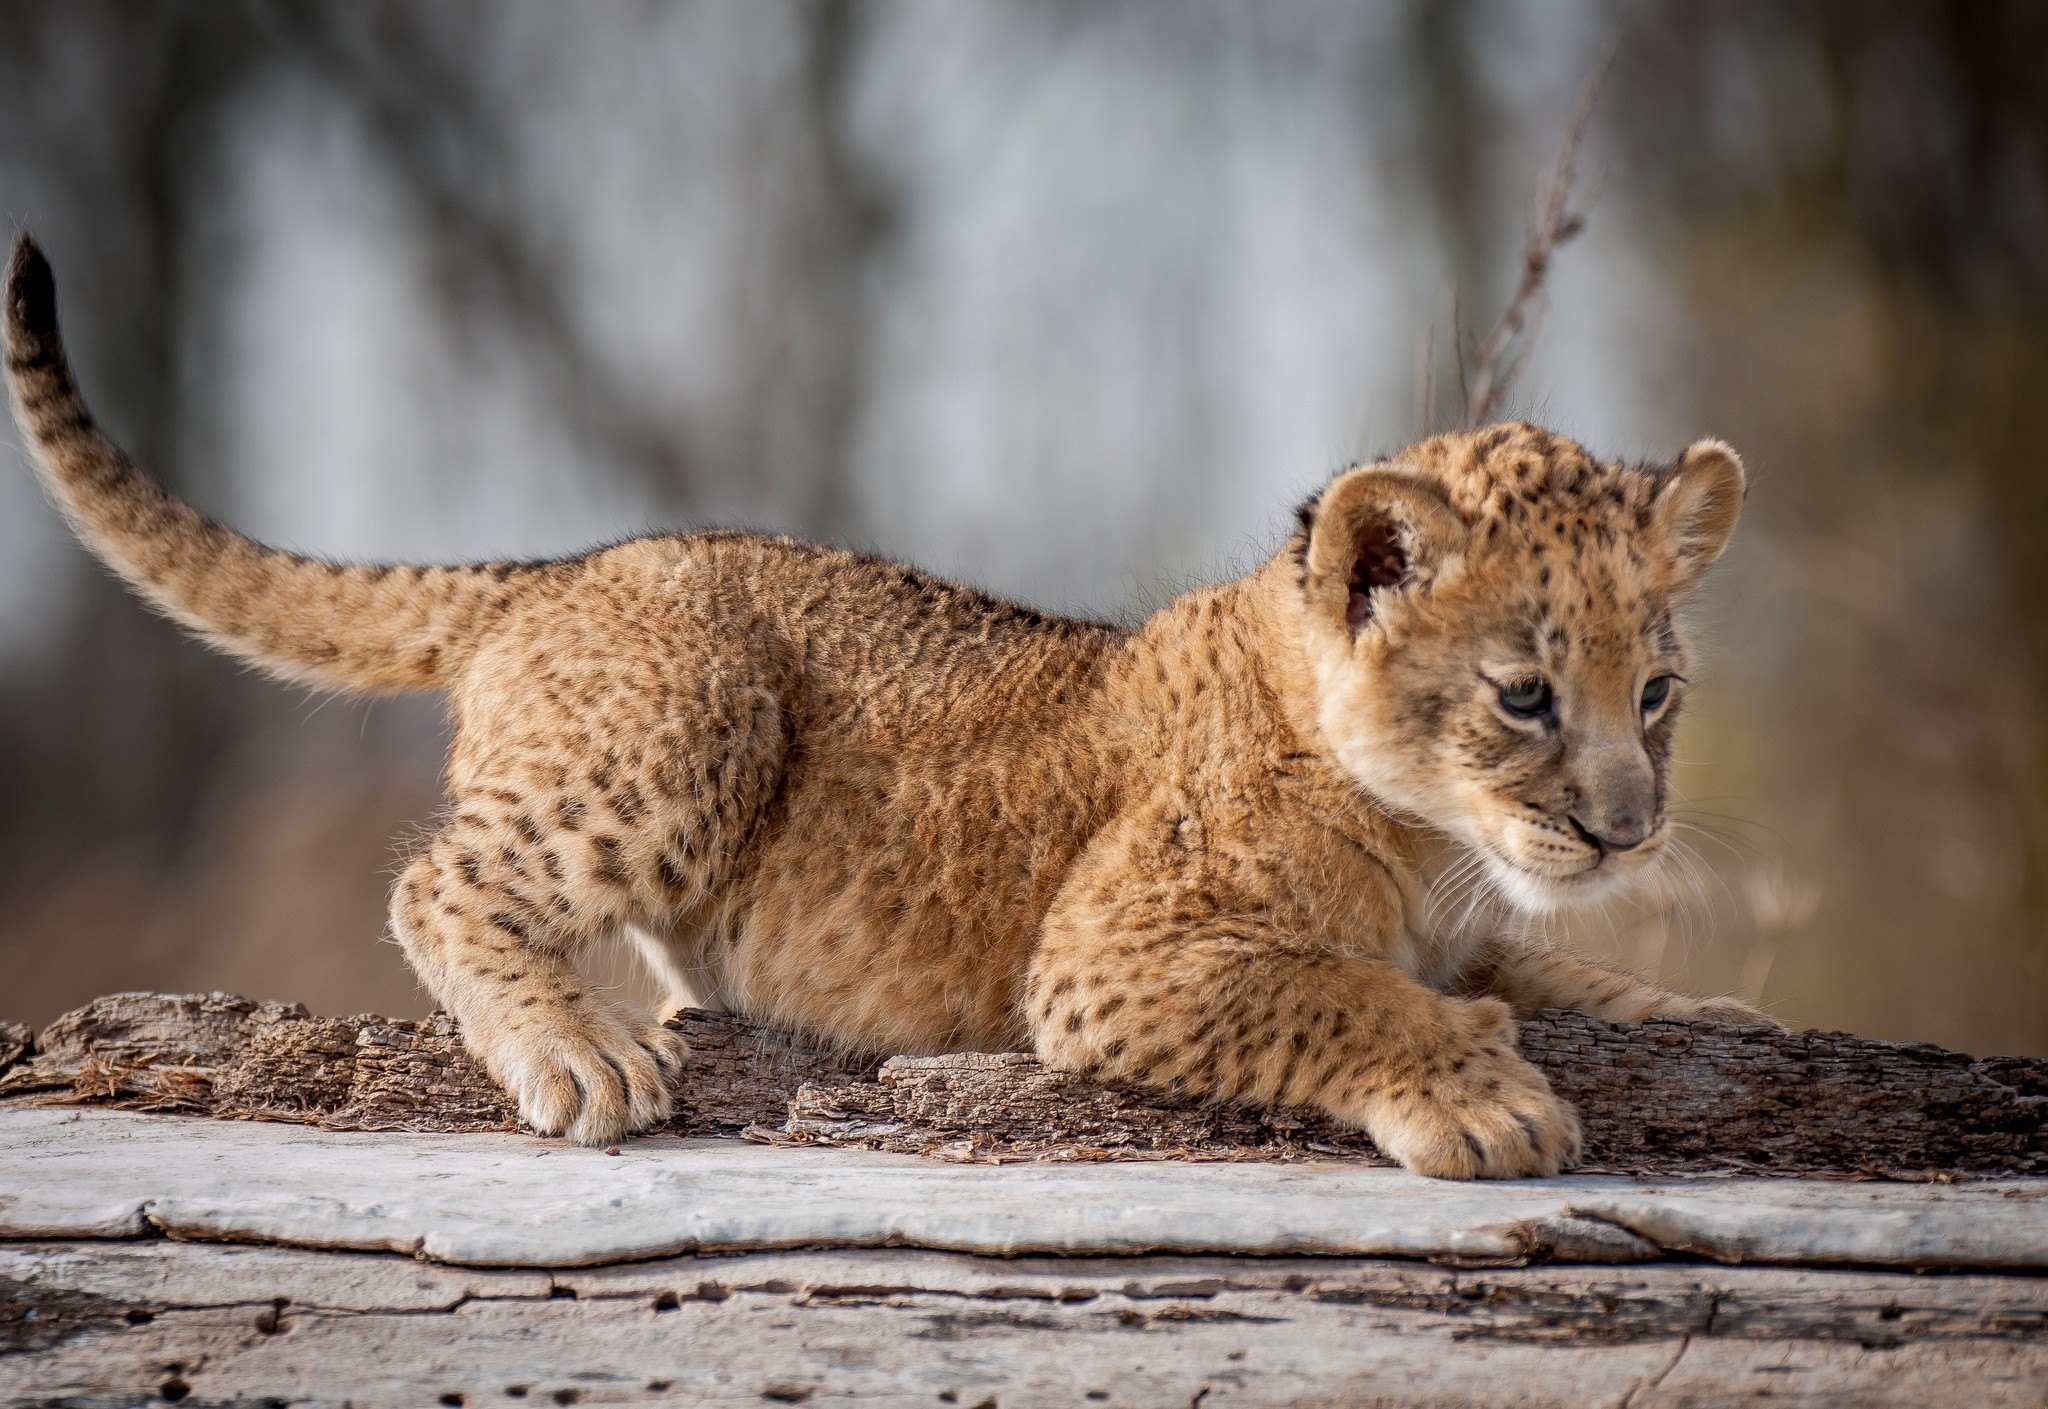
(902, 816)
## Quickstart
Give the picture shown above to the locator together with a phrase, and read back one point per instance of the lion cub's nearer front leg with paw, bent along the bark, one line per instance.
(1146, 988)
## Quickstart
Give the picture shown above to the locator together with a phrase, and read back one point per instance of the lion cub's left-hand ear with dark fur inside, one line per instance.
(1377, 531)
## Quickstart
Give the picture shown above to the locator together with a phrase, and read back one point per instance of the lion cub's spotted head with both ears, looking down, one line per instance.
(1492, 624)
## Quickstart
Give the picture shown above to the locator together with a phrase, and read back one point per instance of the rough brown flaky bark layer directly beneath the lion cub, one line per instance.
(1656, 1099)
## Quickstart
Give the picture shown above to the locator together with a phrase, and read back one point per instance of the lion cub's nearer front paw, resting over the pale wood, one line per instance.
(1484, 1113)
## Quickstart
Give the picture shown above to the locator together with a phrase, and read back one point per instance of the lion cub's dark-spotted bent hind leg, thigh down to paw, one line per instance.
(550, 851)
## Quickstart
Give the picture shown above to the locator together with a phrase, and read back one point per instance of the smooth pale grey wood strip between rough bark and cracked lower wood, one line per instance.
(511, 1201)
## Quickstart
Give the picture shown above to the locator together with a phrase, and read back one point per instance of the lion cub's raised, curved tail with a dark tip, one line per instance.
(329, 626)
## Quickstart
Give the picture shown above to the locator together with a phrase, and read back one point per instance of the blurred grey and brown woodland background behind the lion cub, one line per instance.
(1070, 302)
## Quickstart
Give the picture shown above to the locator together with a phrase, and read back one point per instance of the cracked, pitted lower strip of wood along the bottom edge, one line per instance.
(142, 1322)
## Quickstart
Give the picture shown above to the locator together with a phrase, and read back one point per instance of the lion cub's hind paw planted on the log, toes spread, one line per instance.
(591, 1070)
